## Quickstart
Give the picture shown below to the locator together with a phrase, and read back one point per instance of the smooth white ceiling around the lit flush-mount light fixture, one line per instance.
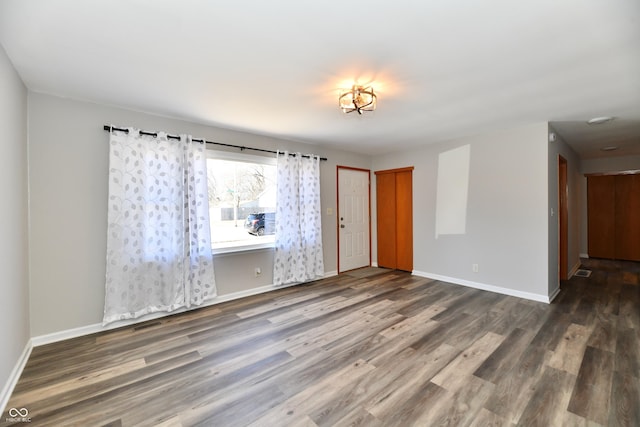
(442, 68)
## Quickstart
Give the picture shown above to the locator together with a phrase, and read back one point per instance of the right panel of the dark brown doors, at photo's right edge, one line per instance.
(627, 217)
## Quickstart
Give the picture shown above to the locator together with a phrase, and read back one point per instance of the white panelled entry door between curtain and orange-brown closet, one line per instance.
(353, 219)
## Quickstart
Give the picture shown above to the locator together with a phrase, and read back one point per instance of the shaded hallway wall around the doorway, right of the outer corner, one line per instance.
(574, 184)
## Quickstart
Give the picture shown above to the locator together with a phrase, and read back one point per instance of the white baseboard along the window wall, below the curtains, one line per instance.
(98, 327)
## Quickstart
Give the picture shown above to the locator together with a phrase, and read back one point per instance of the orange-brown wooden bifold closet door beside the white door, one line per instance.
(394, 199)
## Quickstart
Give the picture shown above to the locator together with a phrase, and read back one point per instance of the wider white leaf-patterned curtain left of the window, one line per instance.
(158, 243)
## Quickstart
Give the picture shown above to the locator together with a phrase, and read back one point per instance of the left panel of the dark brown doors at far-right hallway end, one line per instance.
(601, 216)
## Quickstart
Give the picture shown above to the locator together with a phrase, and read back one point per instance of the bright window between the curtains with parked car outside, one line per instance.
(242, 201)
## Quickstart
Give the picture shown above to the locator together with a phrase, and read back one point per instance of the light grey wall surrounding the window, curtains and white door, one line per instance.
(68, 155)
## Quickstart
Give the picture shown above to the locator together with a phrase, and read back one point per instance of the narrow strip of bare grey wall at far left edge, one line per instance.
(14, 278)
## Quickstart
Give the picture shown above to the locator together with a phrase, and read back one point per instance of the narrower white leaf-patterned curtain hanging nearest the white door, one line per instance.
(298, 254)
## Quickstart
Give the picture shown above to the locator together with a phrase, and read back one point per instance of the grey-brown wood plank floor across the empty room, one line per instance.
(390, 349)
